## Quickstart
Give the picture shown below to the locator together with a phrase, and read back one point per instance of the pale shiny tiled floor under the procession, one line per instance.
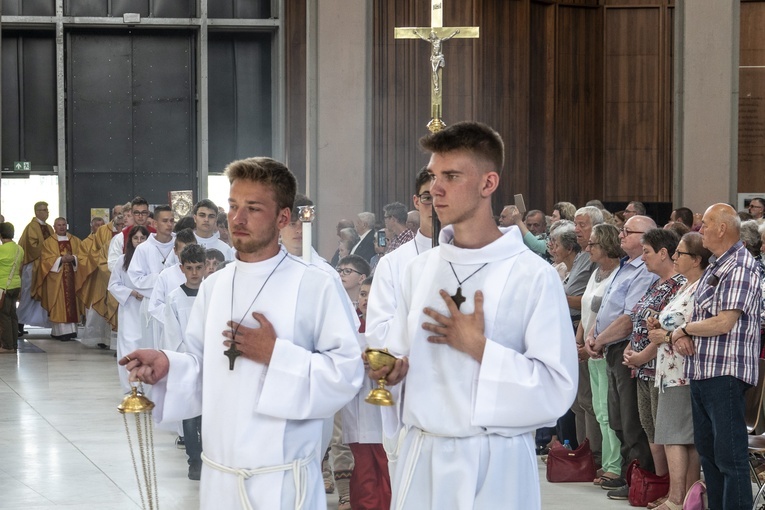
(63, 443)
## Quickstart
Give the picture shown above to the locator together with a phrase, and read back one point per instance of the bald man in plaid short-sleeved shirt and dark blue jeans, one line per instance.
(722, 343)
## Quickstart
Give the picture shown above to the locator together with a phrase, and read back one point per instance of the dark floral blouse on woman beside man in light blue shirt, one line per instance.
(653, 301)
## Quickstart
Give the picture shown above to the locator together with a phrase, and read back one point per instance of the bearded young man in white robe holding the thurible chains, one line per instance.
(296, 360)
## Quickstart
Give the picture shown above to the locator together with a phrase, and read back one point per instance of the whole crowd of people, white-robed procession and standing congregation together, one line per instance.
(515, 331)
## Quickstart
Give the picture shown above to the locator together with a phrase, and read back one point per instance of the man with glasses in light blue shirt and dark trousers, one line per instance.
(609, 338)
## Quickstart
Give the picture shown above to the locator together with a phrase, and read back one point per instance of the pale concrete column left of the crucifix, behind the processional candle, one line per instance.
(343, 119)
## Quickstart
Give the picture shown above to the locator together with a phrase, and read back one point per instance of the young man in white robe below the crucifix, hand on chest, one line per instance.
(485, 324)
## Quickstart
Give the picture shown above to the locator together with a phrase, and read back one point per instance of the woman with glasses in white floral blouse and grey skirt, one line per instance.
(674, 422)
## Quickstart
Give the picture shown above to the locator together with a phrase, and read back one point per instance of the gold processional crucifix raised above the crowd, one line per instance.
(436, 34)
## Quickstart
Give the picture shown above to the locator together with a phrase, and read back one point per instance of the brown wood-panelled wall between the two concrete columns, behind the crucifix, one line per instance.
(580, 91)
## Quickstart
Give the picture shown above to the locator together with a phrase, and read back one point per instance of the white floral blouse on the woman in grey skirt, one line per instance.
(669, 364)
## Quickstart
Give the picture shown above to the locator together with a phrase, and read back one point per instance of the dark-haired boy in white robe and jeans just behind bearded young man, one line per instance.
(177, 311)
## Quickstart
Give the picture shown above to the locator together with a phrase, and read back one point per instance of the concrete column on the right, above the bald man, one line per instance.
(706, 102)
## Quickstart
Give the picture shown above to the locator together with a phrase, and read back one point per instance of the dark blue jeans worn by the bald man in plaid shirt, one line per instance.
(721, 440)
